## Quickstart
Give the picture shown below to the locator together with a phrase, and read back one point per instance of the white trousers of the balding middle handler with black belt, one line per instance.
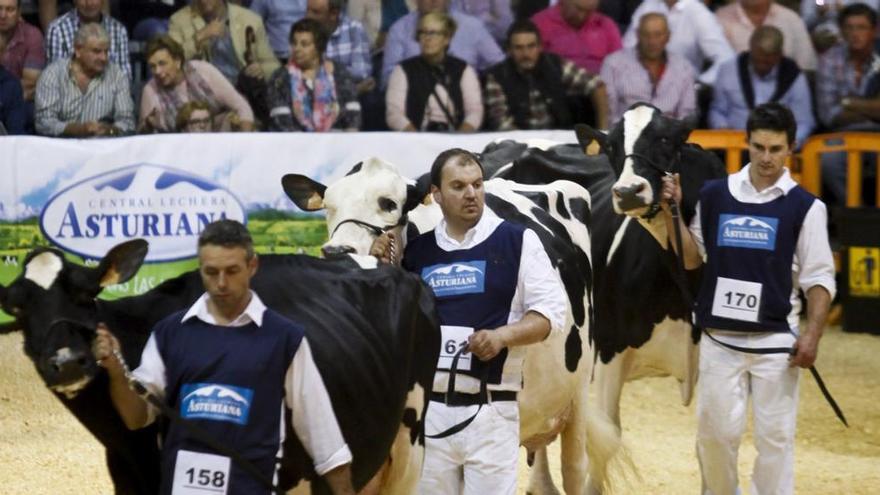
(481, 459)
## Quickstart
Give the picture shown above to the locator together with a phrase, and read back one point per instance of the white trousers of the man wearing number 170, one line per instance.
(727, 379)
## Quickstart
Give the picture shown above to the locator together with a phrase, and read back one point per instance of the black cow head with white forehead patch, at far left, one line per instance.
(53, 303)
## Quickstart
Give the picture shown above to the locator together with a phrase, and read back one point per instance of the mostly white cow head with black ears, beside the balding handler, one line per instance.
(372, 198)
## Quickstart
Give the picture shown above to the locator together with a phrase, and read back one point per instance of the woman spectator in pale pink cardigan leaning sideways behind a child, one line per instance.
(176, 81)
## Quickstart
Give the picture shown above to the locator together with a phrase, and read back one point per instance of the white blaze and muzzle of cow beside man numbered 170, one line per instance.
(634, 123)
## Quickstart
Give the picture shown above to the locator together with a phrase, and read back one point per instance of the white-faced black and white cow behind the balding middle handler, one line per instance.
(375, 197)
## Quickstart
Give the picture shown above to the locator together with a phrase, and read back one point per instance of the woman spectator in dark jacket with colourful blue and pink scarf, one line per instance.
(312, 94)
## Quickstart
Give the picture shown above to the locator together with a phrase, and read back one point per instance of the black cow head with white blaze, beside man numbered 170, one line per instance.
(641, 148)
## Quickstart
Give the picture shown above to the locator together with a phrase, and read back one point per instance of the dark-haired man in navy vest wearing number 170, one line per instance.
(762, 239)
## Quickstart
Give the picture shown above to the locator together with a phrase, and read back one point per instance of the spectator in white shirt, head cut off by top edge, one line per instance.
(695, 34)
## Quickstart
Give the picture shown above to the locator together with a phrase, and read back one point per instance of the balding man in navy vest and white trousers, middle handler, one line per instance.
(496, 293)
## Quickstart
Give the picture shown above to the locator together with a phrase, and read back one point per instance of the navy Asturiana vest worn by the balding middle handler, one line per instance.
(473, 287)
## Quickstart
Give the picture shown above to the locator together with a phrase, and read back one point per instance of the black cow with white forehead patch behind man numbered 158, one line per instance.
(374, 334)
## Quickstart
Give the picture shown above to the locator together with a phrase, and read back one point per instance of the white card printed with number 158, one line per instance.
(196, 473)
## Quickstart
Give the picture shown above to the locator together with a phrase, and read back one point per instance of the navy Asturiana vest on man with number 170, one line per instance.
(752, 243)
